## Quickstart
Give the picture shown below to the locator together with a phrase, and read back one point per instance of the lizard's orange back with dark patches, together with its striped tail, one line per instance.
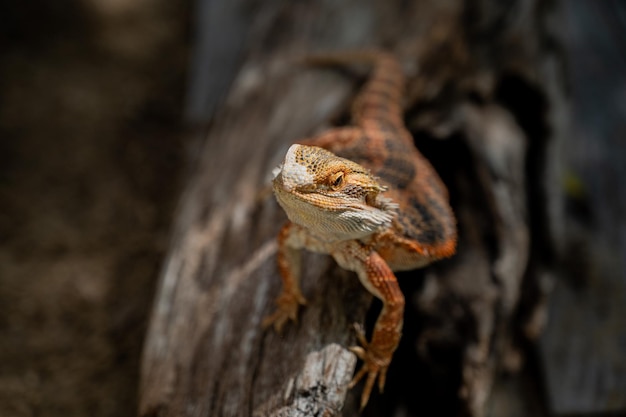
(382, 144)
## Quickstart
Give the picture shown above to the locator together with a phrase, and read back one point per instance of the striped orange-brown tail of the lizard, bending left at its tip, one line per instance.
(380, 99)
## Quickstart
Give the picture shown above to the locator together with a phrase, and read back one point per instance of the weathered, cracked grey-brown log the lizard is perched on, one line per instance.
(473, 81)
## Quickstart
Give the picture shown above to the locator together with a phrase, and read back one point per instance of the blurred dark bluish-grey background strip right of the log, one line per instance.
(584, 346)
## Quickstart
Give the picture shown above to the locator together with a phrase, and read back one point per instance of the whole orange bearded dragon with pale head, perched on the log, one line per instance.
(367, 197)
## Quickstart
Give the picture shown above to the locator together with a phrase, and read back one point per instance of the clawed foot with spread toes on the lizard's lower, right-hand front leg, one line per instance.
(375, 365)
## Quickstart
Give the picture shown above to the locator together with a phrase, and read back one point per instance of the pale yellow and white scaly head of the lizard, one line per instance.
(334, 198)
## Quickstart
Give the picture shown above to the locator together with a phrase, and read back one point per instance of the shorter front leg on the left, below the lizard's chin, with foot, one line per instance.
(288, 302)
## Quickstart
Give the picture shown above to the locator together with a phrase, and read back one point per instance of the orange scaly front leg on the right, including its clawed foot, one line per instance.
(378, 279)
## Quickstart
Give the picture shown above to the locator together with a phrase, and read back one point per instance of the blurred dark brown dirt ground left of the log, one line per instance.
(91, 150)
